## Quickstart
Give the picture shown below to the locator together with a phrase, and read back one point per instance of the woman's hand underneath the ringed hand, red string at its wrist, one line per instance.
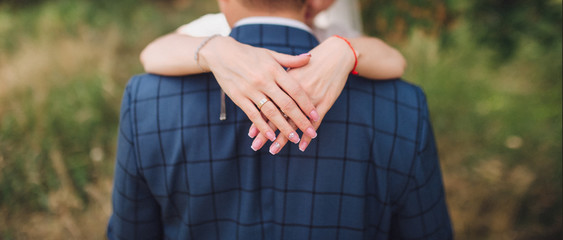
(323, 80)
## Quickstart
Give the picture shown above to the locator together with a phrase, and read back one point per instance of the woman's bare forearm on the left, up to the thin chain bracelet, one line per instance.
(172, 55)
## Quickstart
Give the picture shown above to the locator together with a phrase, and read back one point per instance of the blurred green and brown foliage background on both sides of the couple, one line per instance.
(492, 71)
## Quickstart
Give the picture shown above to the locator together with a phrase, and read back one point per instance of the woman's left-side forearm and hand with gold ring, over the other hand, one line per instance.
(247, 75)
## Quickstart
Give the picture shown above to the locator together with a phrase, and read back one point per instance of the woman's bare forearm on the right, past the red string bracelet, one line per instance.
(377, 60)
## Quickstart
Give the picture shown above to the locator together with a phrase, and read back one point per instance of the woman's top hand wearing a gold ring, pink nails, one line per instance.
(248, 75)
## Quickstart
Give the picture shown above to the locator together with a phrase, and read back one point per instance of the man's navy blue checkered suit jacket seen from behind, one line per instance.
(181, 173)
